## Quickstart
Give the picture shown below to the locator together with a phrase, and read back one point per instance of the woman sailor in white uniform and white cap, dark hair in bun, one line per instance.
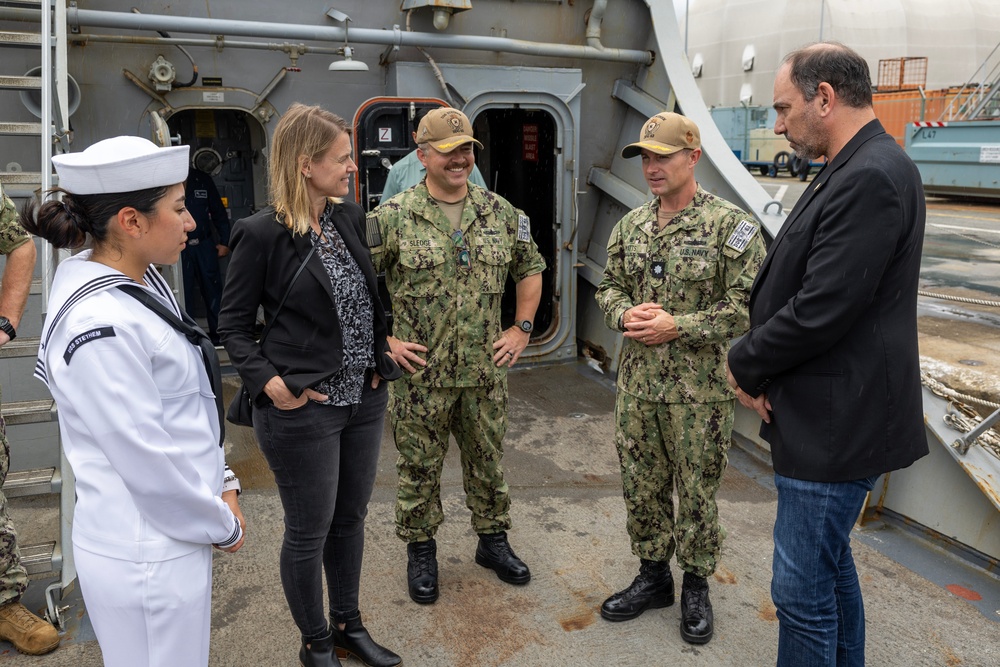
(137, 410)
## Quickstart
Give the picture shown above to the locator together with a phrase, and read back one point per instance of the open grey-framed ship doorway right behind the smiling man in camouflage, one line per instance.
(528, 120)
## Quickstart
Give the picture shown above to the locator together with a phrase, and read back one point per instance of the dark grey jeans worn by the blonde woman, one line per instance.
(324, 459)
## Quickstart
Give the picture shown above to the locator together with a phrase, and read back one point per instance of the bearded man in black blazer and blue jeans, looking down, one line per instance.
(830, 361)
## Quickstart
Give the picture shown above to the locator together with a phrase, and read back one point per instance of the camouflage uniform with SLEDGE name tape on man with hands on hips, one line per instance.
(455, 312)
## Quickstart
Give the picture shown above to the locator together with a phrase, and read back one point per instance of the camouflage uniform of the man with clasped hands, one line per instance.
(674, 411)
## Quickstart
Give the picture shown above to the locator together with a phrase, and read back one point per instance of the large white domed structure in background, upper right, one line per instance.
(955, 36)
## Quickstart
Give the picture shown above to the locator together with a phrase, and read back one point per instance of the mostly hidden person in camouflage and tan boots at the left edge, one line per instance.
(28, 633)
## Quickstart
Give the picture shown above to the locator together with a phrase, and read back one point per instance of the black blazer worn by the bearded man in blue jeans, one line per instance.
(833, 320)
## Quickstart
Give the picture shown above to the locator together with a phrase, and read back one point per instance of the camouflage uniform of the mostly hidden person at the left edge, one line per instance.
(13, 577)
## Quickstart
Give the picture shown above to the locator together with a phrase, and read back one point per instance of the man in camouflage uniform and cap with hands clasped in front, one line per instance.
(676, 283)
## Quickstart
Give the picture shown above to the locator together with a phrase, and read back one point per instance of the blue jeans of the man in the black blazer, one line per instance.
(814, 581)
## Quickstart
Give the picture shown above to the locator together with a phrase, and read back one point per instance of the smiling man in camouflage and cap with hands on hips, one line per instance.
(446, 247)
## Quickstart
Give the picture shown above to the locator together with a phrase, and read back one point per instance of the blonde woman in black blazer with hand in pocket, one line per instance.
(316, 381)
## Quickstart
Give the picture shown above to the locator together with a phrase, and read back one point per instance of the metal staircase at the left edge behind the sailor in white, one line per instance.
(38, 468)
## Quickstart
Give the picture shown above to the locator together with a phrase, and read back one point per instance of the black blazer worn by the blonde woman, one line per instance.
(304, 346)
